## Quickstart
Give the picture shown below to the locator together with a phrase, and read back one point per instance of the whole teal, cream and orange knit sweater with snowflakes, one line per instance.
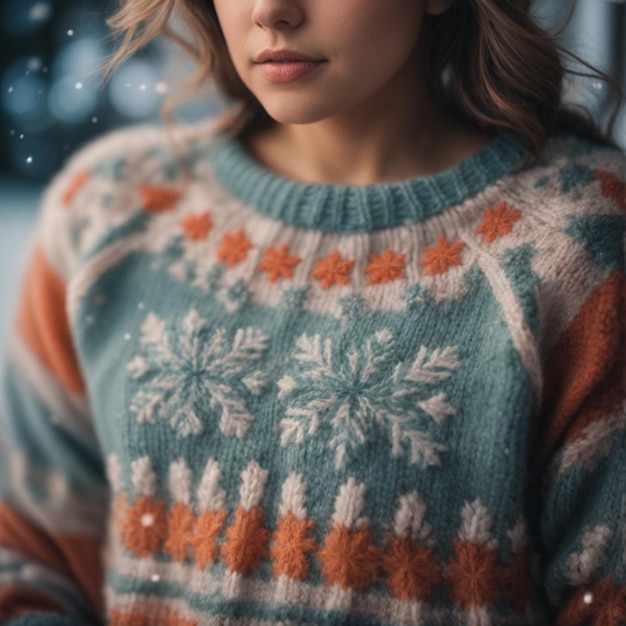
(238, 399)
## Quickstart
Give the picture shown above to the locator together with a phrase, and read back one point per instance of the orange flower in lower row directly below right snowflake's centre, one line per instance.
(349, 558)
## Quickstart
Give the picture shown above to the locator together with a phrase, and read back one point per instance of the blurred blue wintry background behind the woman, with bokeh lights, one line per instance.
(52, 100)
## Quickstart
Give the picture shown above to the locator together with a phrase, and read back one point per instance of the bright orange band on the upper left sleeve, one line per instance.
(42, 323)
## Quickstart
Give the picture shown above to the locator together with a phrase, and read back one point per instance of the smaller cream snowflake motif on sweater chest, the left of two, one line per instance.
(193, 377)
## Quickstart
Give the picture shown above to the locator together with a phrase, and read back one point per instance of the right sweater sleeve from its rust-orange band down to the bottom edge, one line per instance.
(584, 450)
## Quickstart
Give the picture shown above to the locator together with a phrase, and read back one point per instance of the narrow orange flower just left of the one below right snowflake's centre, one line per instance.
(291, 546)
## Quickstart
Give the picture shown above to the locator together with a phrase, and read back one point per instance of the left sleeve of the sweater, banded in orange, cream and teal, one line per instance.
(53, 491)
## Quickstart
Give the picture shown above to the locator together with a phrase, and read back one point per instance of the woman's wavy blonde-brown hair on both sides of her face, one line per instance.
(488, 60)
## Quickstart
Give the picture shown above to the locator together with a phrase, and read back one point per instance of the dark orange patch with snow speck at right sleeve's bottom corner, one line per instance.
(597, 605)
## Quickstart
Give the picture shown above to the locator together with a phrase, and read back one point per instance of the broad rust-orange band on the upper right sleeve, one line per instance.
(584, 373)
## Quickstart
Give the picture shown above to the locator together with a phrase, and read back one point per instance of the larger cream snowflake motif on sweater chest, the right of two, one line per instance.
(360, 393)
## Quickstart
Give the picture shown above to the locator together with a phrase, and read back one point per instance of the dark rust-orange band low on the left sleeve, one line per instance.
(77, 558)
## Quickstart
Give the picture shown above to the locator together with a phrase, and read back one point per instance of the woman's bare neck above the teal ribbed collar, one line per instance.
(386, 139)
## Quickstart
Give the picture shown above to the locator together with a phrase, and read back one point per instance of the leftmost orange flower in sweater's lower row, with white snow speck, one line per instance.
(145, 527)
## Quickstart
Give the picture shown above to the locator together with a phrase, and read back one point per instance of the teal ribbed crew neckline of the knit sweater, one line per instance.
(358, 209)
